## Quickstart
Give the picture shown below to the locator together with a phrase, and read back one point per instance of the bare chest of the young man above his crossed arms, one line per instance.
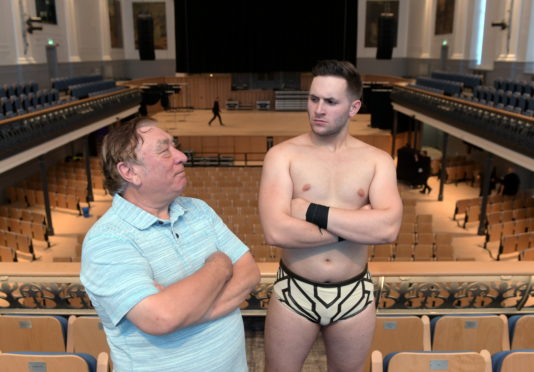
(335, 179)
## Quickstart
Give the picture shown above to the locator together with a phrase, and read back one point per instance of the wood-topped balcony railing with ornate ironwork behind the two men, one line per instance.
(400, 288)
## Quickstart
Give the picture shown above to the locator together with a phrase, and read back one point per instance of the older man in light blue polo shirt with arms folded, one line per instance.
(164, 273)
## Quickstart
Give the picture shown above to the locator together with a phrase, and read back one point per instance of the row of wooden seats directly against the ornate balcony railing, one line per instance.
(494, 333)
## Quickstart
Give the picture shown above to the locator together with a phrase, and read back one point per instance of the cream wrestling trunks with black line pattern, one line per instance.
(323, 303)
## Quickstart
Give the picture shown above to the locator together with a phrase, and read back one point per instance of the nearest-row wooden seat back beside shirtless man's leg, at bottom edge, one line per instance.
(437, 361)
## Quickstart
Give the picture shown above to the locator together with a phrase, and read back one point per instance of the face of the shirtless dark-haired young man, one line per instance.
(330, 105)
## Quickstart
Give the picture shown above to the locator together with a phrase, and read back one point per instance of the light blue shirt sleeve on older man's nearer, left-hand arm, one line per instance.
(115, 275)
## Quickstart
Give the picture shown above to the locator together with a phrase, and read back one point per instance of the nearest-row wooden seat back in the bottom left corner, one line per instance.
(49, 362)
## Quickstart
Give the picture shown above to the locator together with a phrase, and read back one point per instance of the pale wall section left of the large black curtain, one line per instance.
(81, 33)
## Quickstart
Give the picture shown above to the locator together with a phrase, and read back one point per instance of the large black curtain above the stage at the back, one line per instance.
(252, 36)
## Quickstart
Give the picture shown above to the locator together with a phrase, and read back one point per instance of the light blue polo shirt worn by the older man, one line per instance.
(126, 251)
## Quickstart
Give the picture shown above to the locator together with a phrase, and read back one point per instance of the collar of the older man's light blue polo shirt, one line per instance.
(141, 219)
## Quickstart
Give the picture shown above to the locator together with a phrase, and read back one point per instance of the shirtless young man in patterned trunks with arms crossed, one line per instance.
(323, 283)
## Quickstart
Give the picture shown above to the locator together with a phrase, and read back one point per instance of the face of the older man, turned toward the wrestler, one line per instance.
(162, 166)
